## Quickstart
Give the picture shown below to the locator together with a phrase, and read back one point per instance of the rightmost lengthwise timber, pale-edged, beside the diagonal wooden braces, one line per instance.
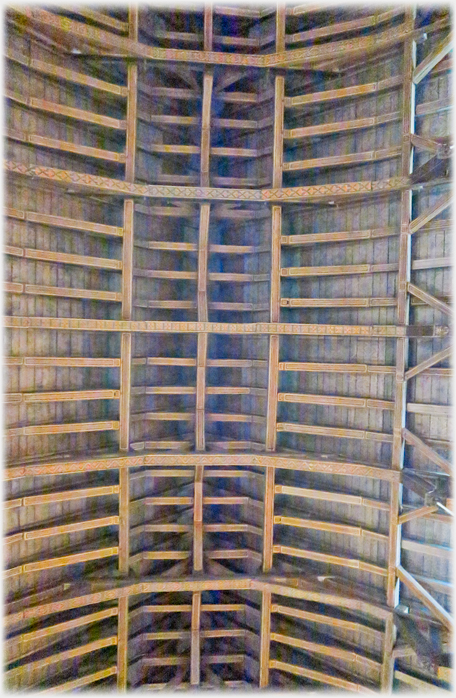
(403, 303)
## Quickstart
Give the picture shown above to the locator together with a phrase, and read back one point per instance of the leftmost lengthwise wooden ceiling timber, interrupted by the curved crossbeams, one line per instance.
(125, 357)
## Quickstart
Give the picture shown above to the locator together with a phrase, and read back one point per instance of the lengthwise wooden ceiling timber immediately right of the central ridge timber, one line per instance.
(273, 374)
